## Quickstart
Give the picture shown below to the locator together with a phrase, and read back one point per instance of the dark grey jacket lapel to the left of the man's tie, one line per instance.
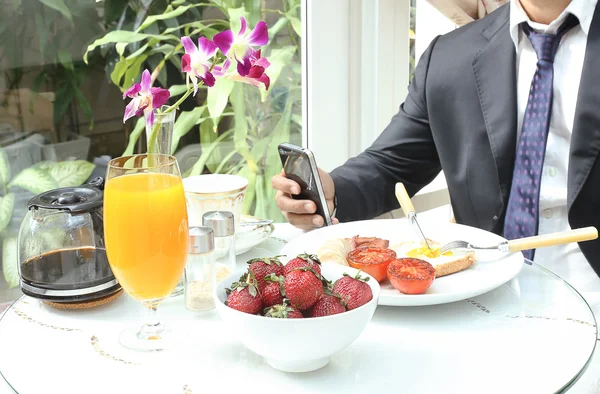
(495, 75)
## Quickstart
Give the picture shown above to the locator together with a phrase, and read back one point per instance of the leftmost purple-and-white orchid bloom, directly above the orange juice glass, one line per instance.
(145, 99)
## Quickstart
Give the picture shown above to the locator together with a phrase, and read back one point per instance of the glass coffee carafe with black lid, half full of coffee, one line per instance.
(62, 256)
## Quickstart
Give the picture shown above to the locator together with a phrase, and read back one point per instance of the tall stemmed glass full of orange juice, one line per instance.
(146, 235)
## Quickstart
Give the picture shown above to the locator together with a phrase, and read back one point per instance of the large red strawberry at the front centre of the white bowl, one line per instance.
(303, 287)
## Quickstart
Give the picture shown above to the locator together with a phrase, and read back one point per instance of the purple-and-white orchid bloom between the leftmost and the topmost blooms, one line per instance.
(196, 61)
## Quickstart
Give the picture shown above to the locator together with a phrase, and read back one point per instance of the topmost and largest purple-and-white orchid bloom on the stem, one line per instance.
(239, 47)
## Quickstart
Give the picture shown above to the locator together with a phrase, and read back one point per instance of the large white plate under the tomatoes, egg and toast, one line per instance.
(491, 270)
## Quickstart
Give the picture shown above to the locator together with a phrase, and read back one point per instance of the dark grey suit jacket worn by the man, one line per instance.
(461, 115)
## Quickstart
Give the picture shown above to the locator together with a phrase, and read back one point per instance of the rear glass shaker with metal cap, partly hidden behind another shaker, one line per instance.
(223, 226)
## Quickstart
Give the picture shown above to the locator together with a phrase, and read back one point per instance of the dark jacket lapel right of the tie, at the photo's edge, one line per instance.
(585, 141)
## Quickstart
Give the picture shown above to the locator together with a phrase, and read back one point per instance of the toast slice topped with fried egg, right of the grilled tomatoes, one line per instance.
(447, 264)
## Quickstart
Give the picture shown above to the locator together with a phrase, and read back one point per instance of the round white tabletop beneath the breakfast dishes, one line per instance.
(540, 332)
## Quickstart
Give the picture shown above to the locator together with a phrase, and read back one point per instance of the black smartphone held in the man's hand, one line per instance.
(297, 167)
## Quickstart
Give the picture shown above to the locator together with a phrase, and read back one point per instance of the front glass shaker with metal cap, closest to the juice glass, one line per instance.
(200, 270)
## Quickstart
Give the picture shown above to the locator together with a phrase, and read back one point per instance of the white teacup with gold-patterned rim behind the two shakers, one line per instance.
(214, 192)
